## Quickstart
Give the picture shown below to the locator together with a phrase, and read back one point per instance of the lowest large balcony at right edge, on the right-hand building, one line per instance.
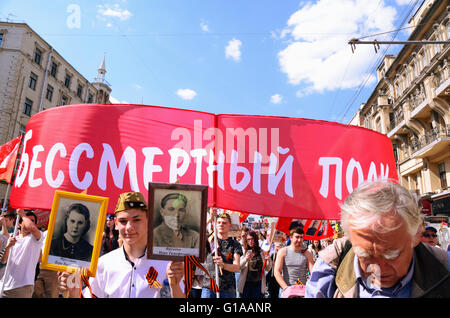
(433, 142)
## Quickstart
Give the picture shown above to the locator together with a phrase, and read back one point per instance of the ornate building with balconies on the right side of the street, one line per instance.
(411, 105)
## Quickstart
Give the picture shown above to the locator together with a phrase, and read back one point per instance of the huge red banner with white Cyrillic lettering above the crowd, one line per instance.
(273, 166)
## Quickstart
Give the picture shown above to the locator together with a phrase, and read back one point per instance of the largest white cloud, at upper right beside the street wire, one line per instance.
(318, 54)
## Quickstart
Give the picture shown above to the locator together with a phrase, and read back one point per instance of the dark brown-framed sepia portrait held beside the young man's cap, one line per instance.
(177, 221)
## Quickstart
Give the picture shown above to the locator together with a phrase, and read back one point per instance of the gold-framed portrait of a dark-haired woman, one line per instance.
(75, 231)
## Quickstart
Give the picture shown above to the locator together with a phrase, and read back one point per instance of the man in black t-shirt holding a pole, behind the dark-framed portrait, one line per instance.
(228, 259)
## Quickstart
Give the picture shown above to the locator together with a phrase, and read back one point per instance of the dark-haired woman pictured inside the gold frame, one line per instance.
(72, 244)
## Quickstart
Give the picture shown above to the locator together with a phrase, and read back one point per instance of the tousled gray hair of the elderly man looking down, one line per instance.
(372, 200)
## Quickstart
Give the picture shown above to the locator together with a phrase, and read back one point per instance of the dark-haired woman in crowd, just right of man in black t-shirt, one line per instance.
(252, 282)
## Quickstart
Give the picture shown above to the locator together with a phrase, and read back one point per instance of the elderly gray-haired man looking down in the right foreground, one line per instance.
(381, 254)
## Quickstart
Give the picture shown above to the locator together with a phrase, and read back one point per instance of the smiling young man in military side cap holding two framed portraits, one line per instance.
(122, 273)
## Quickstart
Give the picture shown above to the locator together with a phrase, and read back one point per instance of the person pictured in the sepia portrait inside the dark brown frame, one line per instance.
(172, 232)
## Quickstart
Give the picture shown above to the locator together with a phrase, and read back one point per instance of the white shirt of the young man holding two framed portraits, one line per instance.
(118, 278)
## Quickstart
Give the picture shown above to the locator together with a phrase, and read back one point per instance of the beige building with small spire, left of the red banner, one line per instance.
(35, 77)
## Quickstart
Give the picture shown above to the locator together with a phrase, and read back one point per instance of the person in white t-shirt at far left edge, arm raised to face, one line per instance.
(23, 252)
